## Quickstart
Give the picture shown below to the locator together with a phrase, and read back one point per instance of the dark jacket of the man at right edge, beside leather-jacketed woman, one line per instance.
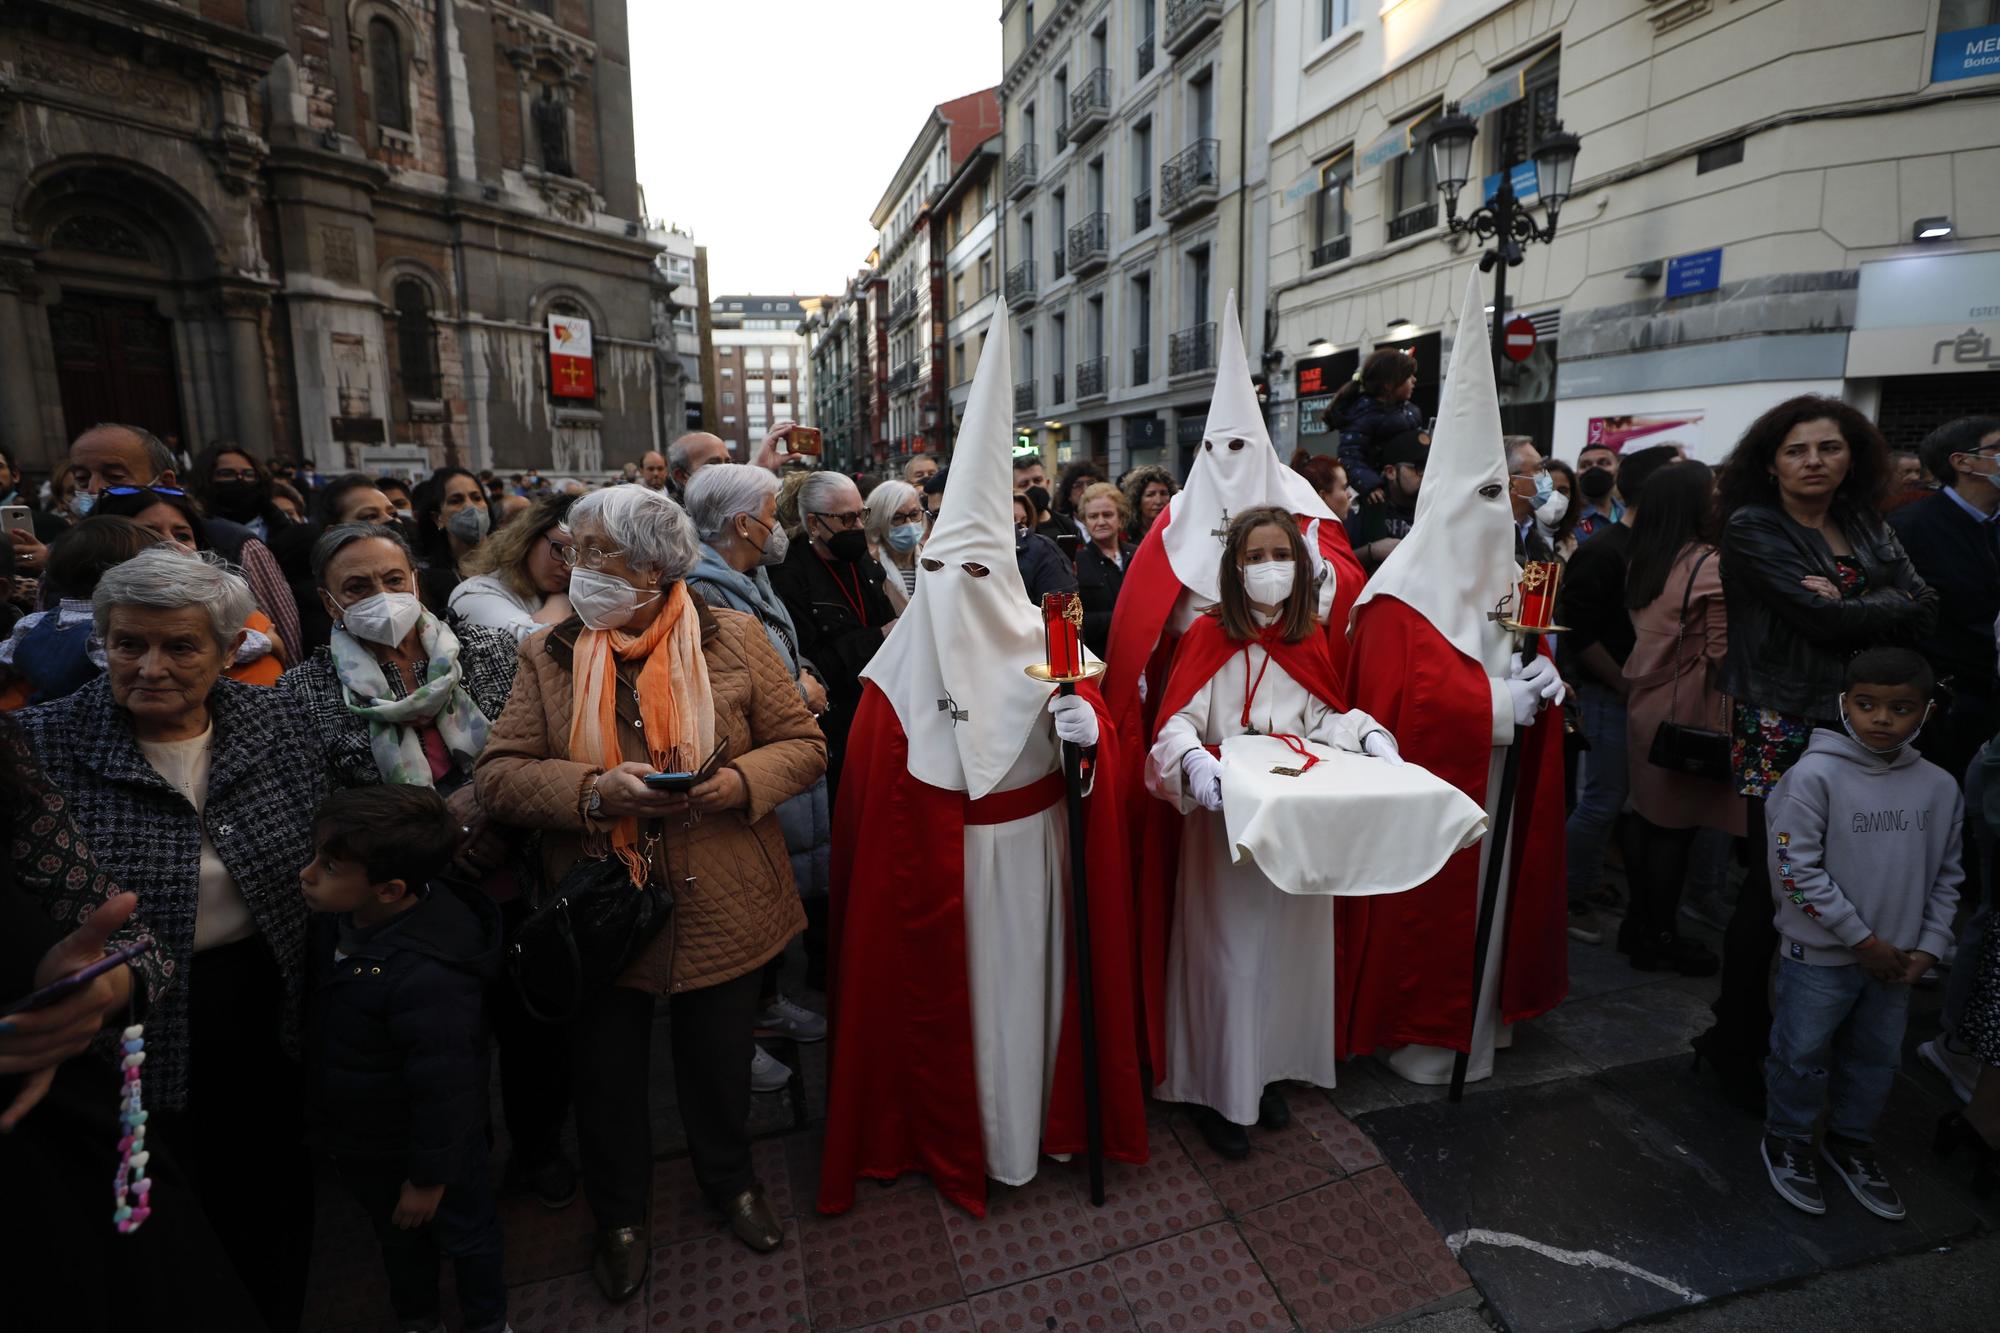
(1961, 559)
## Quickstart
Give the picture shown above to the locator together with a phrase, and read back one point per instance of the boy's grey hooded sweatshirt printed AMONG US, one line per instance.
(1863, 846)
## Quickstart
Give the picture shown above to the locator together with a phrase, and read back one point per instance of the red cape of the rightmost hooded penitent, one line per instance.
(1405, 960)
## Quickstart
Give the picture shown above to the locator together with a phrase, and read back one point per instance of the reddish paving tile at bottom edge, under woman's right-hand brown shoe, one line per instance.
(717, 1282)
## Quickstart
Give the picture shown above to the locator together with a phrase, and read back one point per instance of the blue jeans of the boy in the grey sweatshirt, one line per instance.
(1835, 1046)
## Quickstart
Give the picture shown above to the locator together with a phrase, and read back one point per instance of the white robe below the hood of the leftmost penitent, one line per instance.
(1017, 878)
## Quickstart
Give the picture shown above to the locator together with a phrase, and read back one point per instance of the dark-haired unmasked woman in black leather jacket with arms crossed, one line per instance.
(1811, 577)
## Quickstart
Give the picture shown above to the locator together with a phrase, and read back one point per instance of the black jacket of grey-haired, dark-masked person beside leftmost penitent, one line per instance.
(831, 635)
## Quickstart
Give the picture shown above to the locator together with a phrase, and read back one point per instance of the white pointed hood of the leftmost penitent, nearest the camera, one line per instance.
(955, 663)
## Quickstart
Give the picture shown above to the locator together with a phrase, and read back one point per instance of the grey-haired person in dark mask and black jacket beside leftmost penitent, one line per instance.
(837, 601)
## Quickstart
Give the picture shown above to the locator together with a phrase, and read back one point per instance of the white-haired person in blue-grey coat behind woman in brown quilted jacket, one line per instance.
(735, 513)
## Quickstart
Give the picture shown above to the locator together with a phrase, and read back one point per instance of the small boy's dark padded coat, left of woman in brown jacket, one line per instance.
(397, 1038)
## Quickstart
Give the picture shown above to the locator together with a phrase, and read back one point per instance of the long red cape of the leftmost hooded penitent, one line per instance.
(903, 1094)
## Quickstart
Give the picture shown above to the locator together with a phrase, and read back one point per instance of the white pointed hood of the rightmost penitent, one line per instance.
(1459, 559)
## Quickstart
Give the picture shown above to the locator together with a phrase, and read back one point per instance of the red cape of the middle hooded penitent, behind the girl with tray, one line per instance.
(1141, 647)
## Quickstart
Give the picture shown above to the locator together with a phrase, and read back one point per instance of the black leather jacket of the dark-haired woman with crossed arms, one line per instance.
(1789, 647)
